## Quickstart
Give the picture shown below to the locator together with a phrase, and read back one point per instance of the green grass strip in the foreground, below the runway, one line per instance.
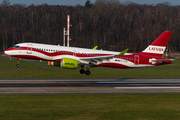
(98, 106)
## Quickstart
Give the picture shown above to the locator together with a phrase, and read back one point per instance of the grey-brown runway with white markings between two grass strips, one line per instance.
(89, 86)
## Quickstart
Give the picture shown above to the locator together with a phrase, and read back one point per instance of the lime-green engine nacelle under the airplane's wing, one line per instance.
(69, 63)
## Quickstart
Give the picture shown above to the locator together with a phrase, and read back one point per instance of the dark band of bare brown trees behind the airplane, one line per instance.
(109, 24)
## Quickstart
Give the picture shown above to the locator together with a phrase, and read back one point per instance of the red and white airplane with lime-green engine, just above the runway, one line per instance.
(74, 57)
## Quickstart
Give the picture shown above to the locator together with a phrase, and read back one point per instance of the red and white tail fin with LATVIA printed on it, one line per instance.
(158, 47)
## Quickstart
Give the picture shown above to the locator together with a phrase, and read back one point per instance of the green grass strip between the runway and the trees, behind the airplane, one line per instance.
(30, 70)
